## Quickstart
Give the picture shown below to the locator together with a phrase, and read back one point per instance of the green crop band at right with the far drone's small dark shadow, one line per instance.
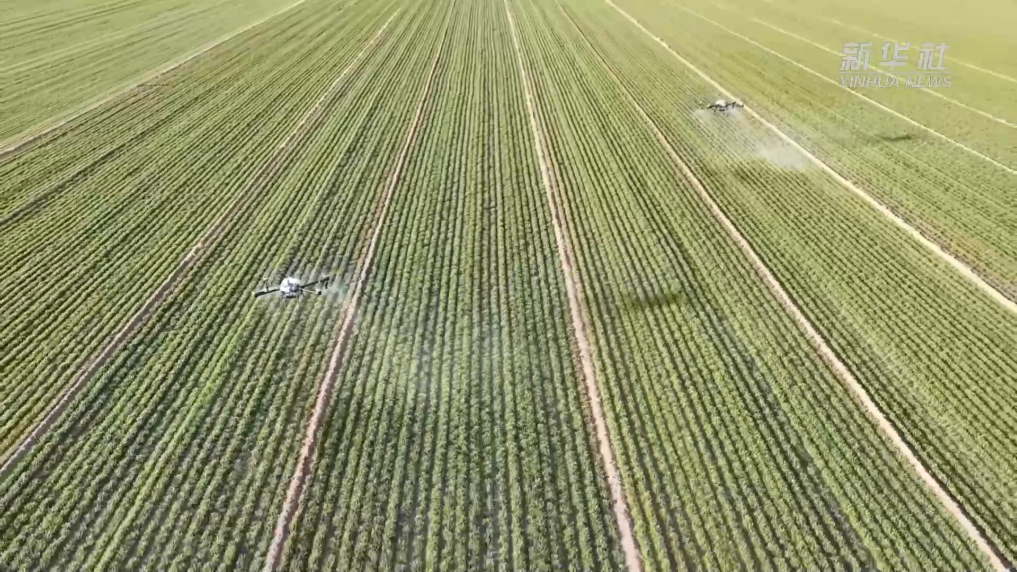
(961, 201)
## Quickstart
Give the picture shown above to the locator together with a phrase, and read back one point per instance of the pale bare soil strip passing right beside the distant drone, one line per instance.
(940, 252)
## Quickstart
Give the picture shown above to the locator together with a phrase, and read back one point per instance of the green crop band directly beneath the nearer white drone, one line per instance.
(178, 456)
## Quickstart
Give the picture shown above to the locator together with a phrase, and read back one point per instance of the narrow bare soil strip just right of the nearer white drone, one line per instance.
(309, 450)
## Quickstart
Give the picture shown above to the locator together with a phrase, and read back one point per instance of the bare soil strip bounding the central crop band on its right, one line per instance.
(574, 291)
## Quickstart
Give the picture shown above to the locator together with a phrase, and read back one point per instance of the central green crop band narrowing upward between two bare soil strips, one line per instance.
(458, 438)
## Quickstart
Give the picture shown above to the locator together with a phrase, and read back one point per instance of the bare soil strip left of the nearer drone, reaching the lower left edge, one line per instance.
(212, 236)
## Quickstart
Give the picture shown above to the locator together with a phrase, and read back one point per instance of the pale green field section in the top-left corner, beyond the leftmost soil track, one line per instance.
(59, 61)
